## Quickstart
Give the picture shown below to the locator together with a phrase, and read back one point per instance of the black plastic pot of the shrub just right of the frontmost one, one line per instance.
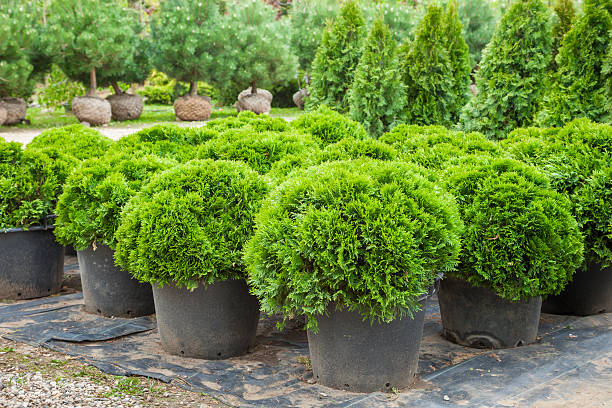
(477, 317)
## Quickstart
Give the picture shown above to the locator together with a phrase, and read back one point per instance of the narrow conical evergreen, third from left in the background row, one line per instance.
(427, 73)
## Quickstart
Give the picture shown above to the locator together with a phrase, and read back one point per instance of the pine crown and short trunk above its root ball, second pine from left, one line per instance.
(91, 36)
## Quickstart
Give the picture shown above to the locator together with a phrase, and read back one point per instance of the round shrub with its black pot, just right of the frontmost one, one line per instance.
(520, 243)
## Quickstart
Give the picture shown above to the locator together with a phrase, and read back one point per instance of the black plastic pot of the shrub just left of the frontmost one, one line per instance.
(213, 322)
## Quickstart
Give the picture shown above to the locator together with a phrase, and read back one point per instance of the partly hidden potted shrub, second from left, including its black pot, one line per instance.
(88, 215)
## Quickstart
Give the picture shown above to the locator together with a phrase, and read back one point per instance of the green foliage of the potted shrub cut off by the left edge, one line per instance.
(30, 182)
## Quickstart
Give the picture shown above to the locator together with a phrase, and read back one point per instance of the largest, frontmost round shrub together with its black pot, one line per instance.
(354, 246)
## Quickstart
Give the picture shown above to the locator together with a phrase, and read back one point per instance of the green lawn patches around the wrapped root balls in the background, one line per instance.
(43, 119)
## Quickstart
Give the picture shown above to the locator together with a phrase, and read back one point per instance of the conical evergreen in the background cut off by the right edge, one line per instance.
(580, 87)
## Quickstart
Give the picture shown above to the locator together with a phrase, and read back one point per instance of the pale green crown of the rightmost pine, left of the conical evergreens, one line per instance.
(256, 50)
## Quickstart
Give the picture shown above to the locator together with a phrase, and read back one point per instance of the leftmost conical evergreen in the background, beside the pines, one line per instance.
(336, 59)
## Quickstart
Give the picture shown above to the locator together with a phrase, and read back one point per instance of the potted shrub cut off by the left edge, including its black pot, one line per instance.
(31, 261)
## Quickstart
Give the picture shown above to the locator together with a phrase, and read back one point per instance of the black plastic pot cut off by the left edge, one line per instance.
(31, 263)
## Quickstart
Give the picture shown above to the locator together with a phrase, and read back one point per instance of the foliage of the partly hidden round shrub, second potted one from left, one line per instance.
(89, 209)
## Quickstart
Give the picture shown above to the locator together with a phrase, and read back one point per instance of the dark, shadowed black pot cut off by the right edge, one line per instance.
(589, 293)
